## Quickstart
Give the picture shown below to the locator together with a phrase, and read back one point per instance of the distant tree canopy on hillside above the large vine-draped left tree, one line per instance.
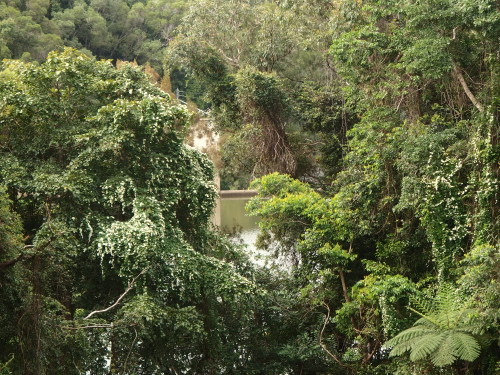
(127, 30)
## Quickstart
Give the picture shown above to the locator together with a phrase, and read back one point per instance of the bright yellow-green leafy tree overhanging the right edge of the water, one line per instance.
(314, 235)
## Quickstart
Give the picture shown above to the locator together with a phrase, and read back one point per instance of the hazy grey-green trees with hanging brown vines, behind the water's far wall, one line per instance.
(254, 58)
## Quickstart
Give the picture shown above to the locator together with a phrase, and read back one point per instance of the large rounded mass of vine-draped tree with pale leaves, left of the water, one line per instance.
(108, 259)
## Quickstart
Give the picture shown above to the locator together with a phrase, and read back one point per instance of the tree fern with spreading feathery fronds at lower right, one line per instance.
(443, 333)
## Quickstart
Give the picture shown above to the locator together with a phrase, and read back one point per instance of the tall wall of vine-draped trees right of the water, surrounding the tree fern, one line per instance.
(414, 193)
